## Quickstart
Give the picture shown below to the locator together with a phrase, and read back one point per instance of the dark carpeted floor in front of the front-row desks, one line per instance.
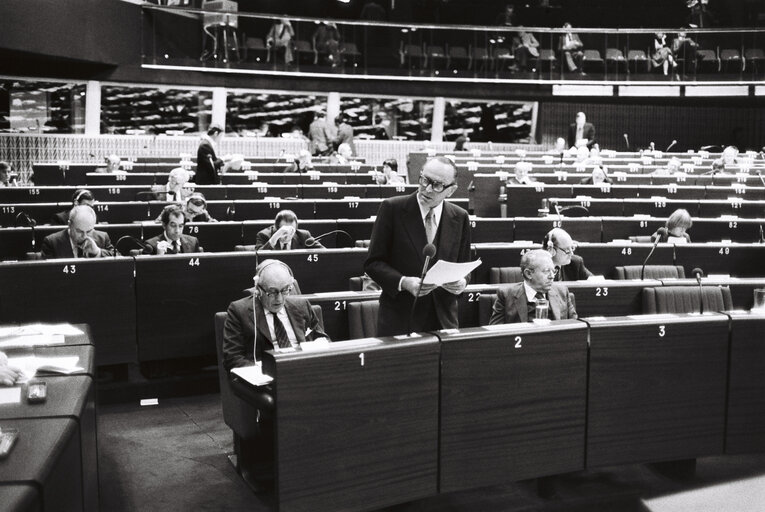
(172, 457)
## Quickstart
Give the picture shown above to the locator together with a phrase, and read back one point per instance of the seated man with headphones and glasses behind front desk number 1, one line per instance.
(283, 321)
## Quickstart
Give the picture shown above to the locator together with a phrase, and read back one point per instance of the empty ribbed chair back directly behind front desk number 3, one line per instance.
(686, 299)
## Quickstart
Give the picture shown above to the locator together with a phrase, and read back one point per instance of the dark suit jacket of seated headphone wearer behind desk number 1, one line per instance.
(239, 329)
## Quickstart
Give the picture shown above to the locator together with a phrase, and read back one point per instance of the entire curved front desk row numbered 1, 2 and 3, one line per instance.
(385, 421)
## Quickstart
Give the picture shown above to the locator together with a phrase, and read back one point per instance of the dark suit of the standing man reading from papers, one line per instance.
(395, 250)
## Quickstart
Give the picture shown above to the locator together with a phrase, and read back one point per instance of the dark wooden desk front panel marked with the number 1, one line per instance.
(363, 434)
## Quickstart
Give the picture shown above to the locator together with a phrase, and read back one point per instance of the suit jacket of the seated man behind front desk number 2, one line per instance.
(511, 305)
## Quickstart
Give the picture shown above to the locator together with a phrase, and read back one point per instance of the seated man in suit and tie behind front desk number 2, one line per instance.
(517, 302)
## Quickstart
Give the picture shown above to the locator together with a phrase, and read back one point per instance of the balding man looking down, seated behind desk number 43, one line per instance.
(80, 239)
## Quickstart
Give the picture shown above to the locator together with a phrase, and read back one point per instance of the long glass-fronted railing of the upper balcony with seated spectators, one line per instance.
(264, 44)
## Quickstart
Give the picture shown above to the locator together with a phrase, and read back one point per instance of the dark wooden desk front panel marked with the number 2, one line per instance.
(512, 404)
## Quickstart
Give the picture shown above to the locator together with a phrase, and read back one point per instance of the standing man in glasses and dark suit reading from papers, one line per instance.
(404, 226)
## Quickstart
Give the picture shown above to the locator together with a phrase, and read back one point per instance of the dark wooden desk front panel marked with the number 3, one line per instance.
(656, 389)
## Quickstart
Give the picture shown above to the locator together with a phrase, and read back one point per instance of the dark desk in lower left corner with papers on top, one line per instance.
(54, 464)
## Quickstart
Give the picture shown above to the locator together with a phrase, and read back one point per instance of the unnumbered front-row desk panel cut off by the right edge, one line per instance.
(745, 431)
